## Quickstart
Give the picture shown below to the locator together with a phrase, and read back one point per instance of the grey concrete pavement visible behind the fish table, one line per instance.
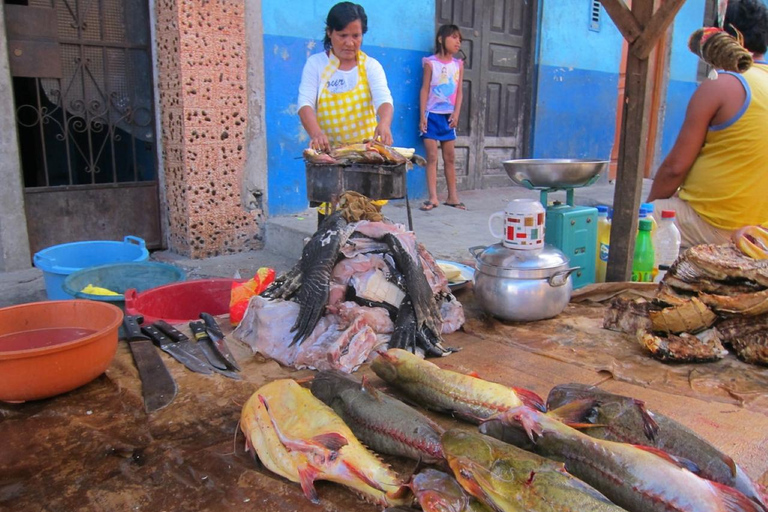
(446, 232)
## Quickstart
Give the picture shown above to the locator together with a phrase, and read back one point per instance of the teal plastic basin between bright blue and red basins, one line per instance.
(119, 277)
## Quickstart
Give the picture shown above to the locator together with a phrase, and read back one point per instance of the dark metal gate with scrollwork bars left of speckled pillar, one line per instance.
(82, 83)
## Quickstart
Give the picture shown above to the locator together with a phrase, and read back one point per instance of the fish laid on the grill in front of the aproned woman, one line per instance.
(366, 152)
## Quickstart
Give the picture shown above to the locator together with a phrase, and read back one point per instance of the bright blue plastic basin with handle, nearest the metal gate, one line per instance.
(59, 261)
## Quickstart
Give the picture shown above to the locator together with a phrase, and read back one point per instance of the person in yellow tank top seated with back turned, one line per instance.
(716, 175)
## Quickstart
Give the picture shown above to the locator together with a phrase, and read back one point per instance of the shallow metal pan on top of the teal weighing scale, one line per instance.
(554, 172)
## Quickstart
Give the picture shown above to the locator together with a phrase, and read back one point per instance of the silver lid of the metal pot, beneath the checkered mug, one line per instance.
(499, 260)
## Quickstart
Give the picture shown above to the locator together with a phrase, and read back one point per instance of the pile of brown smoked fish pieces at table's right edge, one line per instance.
(712, 296)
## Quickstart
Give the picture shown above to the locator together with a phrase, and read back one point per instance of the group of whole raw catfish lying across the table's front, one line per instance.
(523, 458)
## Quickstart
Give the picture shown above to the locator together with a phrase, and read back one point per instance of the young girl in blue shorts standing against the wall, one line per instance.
(440, 103)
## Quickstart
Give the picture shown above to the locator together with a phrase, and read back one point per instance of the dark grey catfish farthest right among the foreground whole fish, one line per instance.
(625, 419)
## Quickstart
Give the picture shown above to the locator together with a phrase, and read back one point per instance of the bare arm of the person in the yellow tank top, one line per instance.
(706, 102)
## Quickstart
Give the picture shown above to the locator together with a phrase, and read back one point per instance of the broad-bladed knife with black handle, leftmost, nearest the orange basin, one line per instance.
(157, 385)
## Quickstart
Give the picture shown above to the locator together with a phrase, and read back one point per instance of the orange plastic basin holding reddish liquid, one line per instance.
(49, 348)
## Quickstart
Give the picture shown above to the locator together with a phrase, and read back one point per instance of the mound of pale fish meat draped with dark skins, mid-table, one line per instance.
(359, 286)
